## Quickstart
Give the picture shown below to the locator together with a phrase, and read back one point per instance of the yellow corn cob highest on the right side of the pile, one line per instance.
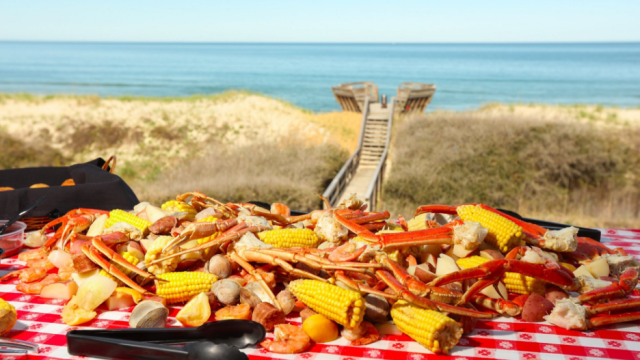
(503, 233)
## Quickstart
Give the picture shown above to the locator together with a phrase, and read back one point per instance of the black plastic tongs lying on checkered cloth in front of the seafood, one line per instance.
(214, 340)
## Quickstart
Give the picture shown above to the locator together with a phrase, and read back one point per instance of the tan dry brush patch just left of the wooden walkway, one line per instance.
(290, 173)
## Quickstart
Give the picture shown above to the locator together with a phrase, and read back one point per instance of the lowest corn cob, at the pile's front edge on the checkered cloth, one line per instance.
(431, 329)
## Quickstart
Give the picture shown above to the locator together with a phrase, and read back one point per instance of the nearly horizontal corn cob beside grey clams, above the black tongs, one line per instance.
(182, 286)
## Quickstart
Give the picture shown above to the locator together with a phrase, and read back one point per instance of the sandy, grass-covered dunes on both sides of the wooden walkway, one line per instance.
(241, 146)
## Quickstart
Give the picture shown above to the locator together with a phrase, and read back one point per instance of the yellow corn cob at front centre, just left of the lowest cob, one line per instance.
(345, 307)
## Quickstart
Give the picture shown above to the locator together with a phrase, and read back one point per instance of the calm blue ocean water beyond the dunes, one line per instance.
(466, 75)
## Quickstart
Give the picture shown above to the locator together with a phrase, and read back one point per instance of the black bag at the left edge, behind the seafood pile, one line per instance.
(94, 188)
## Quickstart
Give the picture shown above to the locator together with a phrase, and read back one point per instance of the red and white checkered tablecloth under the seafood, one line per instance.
(503, 338)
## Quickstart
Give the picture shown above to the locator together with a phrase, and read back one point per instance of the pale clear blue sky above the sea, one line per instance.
(321, 21)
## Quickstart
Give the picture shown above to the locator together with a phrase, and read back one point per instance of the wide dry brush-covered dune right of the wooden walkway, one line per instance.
(552, 168)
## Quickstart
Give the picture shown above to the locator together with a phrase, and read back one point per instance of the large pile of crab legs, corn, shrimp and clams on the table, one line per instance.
(343, 269)
